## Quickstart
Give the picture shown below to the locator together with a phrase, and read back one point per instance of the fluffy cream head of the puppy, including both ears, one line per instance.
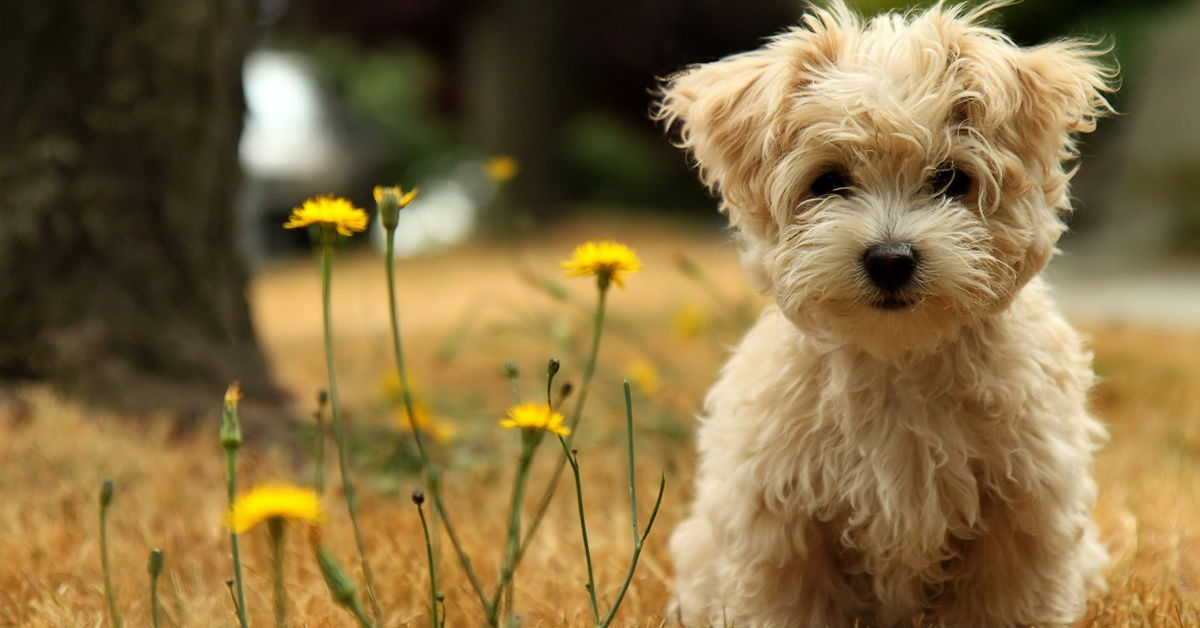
(891, 181)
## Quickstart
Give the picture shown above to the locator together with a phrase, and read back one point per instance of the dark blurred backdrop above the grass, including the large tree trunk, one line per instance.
(149, 153)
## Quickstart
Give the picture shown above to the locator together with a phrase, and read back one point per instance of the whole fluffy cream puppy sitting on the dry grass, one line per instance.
(903, 438)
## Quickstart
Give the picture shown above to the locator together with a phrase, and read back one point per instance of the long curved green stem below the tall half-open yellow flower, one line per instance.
(431, 474)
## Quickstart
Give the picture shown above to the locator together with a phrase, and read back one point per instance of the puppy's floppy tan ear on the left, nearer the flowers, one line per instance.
(728, 112)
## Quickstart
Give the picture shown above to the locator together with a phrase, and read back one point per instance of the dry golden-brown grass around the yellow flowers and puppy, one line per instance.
(171, 491)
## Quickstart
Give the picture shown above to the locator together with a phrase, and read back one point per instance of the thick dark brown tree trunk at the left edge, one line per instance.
(122, 282)
